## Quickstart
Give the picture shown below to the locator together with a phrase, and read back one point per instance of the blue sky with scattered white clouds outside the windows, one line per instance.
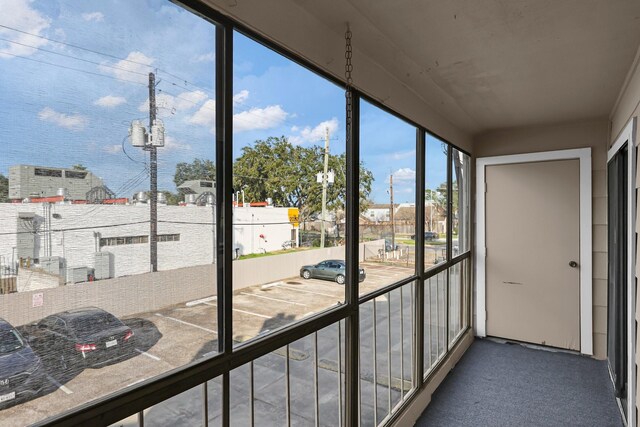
(76, 76)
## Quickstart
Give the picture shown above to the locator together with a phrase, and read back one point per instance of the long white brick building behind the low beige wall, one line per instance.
(75, 232)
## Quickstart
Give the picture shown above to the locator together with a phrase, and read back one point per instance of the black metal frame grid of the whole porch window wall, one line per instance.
(123, 403)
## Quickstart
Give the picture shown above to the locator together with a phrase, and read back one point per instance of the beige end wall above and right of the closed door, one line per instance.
(583, 134)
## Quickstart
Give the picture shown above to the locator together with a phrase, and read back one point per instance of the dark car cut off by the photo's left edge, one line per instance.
(21, 373)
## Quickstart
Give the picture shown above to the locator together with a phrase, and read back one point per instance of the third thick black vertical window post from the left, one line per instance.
(418, 346)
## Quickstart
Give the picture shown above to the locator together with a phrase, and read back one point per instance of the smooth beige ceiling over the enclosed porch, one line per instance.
(488, 64)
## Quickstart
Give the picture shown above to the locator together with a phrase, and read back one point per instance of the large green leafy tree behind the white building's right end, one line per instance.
(276, 169)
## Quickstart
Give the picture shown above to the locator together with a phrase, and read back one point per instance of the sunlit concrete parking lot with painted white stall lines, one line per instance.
(177, 335)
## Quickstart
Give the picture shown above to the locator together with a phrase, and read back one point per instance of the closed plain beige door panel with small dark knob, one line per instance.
(532, 216)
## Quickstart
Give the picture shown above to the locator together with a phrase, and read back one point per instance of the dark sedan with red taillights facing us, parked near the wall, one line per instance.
(86, 337)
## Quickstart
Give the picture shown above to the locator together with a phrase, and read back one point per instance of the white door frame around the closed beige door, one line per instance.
(586, 264)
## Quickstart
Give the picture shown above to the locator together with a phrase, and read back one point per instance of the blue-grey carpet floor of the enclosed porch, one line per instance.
(510, 385)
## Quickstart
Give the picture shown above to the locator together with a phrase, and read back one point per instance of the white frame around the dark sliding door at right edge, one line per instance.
(627, 137)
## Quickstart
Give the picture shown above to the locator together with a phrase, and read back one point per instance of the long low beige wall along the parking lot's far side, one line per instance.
(141, 293)
